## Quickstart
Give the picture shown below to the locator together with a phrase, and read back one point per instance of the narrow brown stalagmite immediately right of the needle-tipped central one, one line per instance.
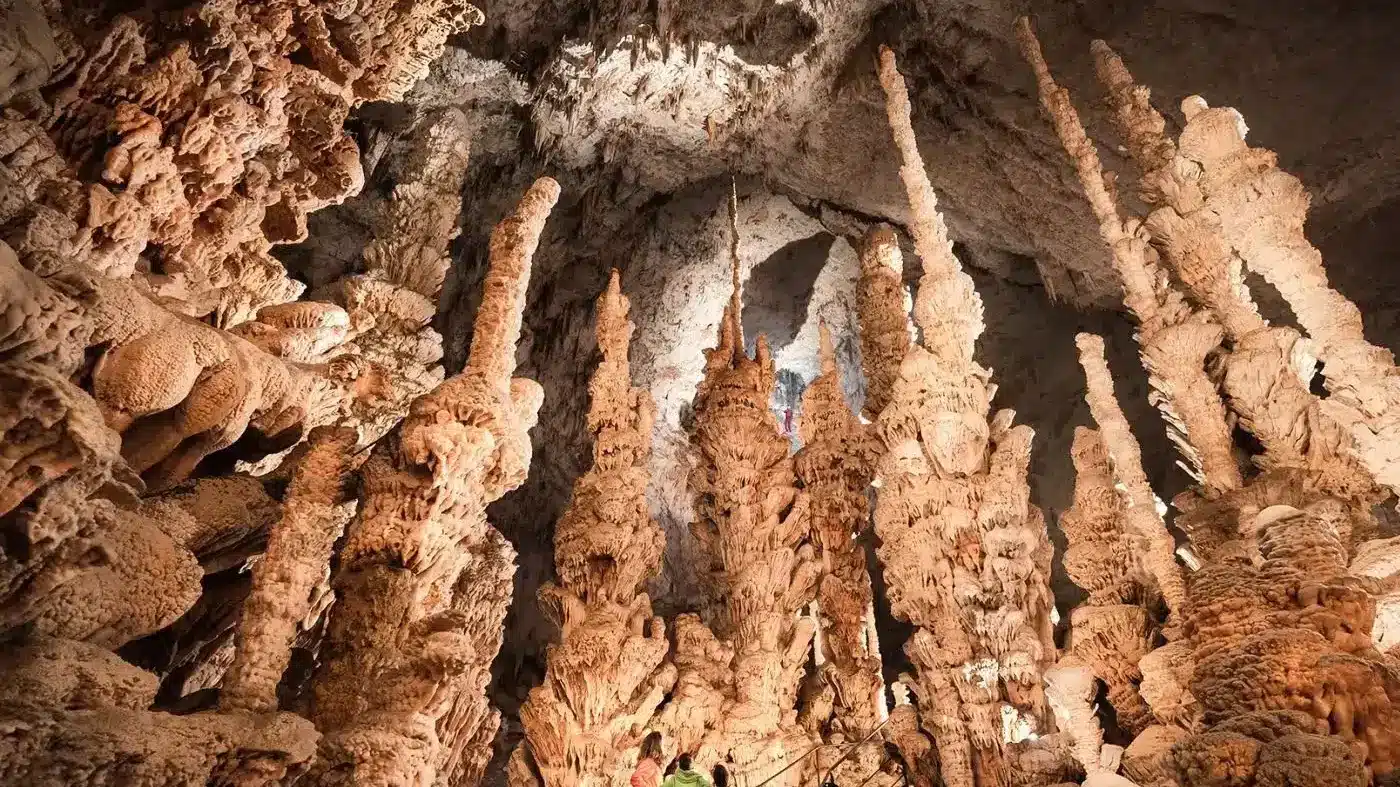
(836, 467)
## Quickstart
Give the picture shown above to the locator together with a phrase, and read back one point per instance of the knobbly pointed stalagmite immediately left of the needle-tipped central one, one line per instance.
(608, 674)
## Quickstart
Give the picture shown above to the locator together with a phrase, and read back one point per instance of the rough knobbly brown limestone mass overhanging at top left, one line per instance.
(213, 142)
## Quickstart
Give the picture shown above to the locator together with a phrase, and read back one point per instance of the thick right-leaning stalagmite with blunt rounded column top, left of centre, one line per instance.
(425, 580)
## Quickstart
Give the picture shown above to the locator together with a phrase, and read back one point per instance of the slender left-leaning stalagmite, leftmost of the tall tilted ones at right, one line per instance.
(1174, 341)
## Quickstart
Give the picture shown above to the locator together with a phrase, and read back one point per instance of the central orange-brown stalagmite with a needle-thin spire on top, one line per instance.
(752, 516)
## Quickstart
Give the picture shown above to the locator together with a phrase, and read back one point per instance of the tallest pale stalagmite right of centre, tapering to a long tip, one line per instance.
(965, 554)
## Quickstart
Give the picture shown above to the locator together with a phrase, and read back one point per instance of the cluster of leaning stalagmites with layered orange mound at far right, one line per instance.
(1275, 666)
